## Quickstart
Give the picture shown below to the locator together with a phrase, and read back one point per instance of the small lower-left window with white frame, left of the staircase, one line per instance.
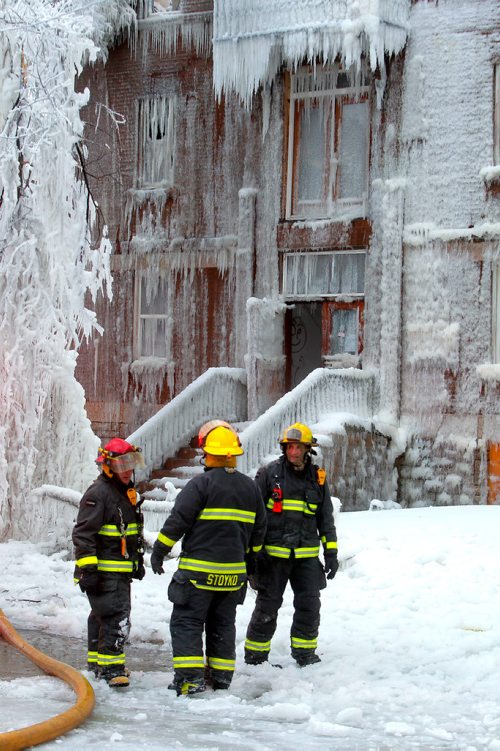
(154, 330)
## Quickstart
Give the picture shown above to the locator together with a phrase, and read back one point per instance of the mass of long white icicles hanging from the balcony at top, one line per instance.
(252, 40)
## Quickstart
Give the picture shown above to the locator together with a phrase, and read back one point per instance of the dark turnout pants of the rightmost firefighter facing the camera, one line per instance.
(306, 577)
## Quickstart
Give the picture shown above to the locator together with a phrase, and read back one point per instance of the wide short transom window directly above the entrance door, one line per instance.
(312, 275)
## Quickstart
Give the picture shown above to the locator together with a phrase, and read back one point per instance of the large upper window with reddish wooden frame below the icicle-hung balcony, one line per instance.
(328, 144)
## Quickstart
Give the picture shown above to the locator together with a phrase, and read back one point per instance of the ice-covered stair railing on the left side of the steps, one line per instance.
(219, 392)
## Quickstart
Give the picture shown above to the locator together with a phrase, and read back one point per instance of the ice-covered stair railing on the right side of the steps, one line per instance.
(325, 390)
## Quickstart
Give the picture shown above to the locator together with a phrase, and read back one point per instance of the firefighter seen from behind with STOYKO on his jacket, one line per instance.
(220, 516)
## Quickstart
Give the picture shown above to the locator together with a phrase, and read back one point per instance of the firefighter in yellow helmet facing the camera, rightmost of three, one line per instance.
(299, 522)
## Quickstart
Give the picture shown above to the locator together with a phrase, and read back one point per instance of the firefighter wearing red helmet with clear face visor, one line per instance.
(109, 551)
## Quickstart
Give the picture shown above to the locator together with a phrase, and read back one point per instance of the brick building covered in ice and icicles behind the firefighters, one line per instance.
(304, 200)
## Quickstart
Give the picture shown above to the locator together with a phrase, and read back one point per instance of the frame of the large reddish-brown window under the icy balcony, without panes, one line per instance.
(337, 97)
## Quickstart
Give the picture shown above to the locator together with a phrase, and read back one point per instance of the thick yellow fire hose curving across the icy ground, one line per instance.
(15, 740)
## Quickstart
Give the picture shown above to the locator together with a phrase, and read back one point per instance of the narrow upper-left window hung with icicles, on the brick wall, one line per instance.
(156, 137)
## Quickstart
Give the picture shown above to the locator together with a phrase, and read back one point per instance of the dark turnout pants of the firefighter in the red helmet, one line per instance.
(108, 624)
